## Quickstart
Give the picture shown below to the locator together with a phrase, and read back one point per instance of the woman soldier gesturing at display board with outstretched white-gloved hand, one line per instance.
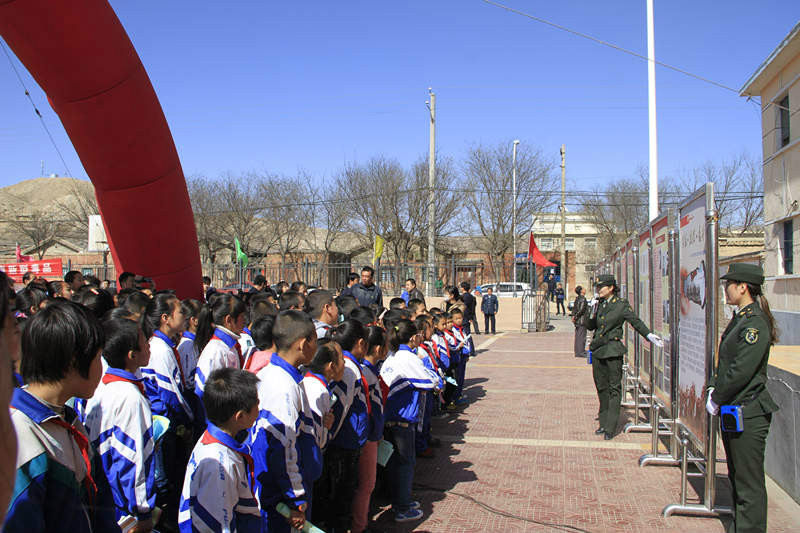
(607, 318)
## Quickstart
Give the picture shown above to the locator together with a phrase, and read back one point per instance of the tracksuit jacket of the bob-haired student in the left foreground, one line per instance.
(52, 489)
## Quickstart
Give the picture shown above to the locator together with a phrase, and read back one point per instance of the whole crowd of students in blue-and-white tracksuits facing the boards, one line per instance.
(249, 412)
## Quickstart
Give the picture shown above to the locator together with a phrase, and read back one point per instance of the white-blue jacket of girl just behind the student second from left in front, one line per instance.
(165, 390)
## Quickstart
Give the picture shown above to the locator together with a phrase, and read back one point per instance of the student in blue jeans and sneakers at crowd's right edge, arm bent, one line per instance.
(406, 377)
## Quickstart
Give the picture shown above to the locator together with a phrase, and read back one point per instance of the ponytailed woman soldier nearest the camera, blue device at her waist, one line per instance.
(741, 379)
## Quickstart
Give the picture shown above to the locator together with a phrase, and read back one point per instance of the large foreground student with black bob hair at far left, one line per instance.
(60, 484)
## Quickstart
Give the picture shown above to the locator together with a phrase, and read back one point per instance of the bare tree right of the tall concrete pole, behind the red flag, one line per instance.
(488, 170)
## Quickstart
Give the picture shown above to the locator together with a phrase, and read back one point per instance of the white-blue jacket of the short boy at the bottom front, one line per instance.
(217, 494)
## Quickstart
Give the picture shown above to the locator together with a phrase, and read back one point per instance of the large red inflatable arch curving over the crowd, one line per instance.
(80, 55)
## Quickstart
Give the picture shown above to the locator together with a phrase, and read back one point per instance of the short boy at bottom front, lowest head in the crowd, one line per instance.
(218, 490)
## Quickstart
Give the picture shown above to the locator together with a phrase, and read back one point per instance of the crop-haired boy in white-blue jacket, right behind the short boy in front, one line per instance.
(283, 414)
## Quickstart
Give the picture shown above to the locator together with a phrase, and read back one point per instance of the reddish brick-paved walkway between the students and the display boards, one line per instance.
(523, 456)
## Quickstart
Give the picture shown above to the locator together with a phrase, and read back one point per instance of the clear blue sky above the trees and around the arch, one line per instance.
(279, 86)
